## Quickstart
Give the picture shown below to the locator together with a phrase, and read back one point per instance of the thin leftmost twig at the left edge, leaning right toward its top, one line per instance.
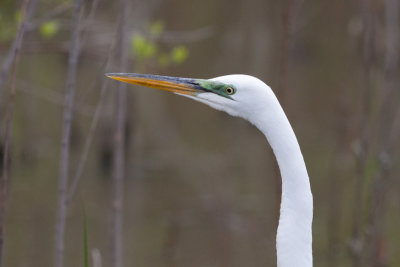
(10, 109)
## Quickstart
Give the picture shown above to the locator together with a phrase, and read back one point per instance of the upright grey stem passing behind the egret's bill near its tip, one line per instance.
(119, 148)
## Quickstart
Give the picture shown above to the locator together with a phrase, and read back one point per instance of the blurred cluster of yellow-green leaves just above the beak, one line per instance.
(147, 48)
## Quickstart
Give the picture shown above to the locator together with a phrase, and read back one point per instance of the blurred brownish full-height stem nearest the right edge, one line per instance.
(386, 119)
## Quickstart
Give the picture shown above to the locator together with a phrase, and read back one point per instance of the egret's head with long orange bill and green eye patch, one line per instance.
(238, 95)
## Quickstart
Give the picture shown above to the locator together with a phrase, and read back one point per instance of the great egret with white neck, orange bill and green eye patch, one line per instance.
(250, 98)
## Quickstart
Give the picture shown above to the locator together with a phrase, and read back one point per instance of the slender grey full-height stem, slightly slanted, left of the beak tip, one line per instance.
(64, 160)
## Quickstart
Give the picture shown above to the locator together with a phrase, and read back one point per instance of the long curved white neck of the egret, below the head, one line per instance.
(294, 235)
